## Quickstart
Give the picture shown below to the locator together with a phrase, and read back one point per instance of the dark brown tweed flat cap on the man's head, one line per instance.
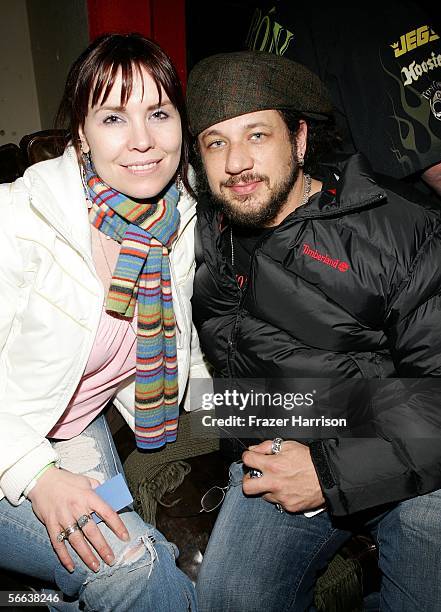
(227, 85)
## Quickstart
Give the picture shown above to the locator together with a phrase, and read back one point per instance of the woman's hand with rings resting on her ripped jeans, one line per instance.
(59, 499)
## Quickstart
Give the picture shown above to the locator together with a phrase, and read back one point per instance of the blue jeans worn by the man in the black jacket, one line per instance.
(258, 559)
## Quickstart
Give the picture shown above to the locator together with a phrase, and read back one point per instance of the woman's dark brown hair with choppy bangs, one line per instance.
(93, 75)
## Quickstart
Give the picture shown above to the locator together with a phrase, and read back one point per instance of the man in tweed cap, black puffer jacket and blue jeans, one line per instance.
(324, 276)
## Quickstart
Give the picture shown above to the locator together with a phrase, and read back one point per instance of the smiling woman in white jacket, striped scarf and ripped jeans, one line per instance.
(105, 218)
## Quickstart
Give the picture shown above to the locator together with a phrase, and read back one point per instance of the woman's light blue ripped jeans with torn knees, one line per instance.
(144, 577)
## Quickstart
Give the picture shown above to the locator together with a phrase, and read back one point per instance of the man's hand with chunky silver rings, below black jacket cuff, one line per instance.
(289, 477)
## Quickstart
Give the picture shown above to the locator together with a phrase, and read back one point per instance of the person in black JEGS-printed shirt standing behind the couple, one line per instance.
(382, 64)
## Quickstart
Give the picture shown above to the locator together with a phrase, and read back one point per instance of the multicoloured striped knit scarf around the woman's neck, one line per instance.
(142, 274)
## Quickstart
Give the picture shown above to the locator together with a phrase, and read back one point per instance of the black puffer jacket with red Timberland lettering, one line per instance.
(348, 285)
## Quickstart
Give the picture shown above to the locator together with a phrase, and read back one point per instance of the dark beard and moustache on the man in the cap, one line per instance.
(242, 215)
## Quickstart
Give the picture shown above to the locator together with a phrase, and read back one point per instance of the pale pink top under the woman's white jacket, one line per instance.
(112, 359)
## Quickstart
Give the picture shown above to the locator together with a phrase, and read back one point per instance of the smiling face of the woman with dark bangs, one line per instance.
(135, 149)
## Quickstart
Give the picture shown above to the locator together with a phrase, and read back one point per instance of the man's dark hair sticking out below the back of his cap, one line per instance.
(322, 140)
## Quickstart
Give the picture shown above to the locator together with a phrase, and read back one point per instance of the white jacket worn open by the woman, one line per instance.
(51, 301)
